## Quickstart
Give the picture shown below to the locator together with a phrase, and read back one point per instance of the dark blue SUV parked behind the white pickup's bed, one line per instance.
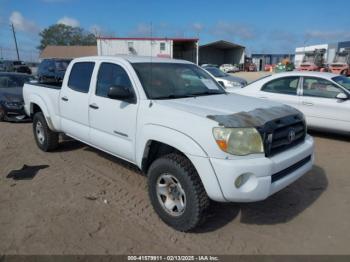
(52, 70)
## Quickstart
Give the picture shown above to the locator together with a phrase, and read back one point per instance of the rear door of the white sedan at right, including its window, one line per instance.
(284, 90)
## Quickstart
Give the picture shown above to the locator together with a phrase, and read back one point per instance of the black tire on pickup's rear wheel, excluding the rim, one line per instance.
(51, 138)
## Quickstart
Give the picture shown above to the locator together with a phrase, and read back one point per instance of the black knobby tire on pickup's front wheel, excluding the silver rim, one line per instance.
(197, 201)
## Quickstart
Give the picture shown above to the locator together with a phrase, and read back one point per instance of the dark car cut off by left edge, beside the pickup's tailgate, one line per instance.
(11, 98)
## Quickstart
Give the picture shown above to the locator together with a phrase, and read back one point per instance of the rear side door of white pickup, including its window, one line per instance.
(74, 101)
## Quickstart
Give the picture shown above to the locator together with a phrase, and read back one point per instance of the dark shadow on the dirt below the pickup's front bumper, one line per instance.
(279, 208)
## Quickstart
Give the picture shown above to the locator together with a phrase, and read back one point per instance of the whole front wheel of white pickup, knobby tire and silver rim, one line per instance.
(177, 193)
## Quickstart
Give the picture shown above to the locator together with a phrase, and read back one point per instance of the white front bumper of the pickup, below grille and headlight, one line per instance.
(285, 168)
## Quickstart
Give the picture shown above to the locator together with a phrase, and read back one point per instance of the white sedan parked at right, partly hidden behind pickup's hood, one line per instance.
(322, 97)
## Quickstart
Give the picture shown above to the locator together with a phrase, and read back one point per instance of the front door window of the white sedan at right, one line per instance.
(318, 87)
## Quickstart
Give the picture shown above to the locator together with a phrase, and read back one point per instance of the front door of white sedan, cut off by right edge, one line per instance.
(321, 107)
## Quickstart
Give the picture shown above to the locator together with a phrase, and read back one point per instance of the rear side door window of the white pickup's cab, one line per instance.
(80, 76)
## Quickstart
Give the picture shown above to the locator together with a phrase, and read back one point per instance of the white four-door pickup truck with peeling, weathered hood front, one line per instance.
(193, 140)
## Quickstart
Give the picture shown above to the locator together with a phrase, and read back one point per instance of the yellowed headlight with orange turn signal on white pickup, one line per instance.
(238, 141)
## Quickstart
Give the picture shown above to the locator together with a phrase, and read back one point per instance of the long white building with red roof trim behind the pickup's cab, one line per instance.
(179, 48)
